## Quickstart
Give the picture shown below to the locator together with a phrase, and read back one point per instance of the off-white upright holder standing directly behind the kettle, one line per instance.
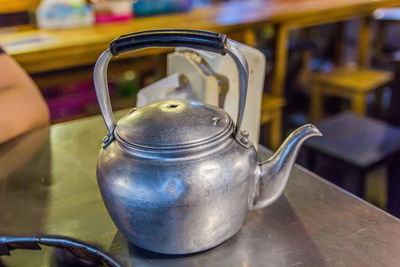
(205, 87)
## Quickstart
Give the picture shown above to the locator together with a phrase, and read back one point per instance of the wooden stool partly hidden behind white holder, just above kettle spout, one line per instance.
(271, 112)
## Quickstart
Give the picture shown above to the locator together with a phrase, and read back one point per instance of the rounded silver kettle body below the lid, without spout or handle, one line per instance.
(178, 203)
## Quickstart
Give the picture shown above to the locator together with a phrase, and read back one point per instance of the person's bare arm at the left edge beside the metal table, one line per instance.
(22, 107)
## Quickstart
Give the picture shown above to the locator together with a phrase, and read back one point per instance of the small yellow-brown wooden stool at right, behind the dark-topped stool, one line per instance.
(354, 84)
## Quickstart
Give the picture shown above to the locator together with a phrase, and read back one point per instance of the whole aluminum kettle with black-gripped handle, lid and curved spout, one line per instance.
(178, 177)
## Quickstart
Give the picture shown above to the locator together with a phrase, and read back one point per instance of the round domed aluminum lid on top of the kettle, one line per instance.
(173, 124)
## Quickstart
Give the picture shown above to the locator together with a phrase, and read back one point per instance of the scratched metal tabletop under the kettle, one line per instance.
(48, 186)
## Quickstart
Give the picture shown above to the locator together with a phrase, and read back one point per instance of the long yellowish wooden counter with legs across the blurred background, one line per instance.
(49, 50)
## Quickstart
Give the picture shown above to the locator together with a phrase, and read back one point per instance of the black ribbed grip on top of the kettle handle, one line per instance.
(203, 40)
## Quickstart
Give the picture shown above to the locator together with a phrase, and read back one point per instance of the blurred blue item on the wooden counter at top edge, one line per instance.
(144, 8)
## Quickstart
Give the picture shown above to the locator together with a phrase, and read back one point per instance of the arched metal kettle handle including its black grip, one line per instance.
(202, 40)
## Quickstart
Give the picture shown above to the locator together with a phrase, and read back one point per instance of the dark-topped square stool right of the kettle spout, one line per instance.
(353, 144)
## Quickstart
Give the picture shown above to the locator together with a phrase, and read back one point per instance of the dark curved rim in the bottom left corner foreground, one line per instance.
(80, 250)
